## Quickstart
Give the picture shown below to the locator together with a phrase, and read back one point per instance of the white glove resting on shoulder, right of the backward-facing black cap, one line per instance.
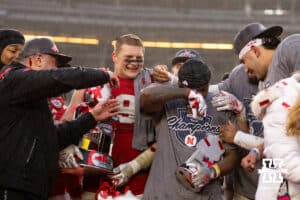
(226, 101)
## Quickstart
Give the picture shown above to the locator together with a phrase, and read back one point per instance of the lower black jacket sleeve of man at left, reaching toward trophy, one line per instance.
(70, 132)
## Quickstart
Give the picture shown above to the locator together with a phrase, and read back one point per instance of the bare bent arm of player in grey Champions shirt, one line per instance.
(152, 99)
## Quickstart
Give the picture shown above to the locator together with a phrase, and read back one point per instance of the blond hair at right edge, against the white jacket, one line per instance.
(293, 120)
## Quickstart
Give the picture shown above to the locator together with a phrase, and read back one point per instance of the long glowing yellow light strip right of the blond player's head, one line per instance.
(182, 45)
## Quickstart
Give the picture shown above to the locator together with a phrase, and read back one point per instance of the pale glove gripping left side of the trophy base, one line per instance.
(67, 157)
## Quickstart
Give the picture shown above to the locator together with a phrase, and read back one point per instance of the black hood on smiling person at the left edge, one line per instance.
(7, 37)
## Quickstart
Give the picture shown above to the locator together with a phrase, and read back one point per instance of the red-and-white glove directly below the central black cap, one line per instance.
(197, 103)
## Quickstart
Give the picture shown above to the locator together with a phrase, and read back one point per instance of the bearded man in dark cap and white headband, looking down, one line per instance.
(264, 56)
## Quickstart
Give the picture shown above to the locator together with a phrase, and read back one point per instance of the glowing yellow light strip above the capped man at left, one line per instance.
(72, 40)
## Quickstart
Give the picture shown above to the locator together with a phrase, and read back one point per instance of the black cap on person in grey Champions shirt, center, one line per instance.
(194, 74)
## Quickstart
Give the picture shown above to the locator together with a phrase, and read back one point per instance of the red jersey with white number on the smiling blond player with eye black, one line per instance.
(122, 150)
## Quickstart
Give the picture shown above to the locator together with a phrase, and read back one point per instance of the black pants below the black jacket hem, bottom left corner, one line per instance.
(9, 194)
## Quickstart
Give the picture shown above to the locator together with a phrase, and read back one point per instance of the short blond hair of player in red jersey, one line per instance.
(129, 39)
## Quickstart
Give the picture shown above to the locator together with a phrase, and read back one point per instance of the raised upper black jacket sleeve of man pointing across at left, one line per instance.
(30, 85)
